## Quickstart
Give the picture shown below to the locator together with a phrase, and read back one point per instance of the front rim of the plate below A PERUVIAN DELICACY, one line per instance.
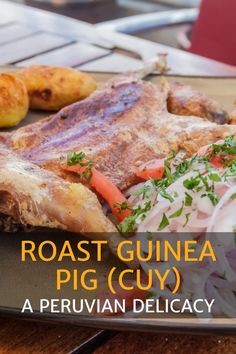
(181, 325)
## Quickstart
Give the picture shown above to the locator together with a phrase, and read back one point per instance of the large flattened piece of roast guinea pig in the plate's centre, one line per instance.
(120, 127)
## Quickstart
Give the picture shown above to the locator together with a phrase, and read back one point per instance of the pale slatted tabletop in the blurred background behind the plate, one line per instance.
(31, 36)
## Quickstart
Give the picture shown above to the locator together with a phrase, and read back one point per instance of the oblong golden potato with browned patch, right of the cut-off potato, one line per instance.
(52, 88)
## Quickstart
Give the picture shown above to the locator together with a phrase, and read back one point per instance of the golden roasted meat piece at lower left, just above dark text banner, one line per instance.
(35, 196)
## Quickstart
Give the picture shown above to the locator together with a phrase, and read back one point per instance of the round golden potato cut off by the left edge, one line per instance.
(14, 100)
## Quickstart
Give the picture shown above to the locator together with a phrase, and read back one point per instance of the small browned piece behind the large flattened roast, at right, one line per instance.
(184, 100)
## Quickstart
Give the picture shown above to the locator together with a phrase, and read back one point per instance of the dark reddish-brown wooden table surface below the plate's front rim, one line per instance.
(19, 337)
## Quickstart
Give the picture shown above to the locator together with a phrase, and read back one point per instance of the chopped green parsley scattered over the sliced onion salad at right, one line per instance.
(206, 175)
